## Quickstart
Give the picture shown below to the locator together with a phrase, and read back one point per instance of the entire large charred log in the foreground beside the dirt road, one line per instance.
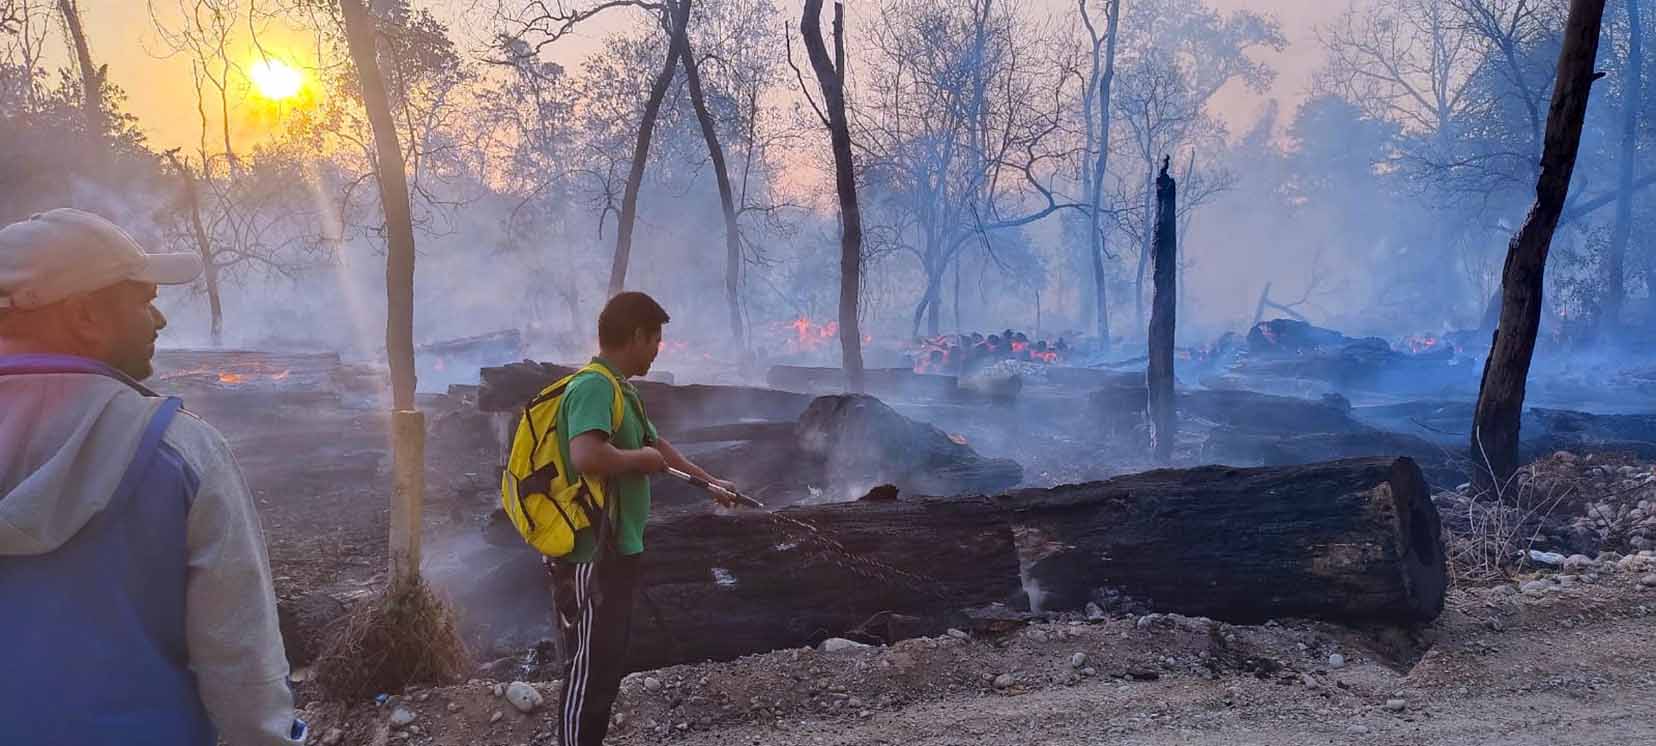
(1341, 541)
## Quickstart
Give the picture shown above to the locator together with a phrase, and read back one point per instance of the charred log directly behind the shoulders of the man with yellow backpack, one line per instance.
(673, 409)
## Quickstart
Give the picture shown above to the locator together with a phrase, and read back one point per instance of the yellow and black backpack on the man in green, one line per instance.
(541, 500)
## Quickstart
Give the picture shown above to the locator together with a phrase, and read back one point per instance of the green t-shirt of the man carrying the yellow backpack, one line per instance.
(587, 409)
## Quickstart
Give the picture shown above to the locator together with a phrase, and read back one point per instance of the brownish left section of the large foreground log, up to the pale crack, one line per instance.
(723, 586)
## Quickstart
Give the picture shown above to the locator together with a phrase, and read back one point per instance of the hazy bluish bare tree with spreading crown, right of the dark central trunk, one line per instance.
(963, 130)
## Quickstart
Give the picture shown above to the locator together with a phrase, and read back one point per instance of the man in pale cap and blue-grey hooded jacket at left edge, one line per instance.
(133, 573)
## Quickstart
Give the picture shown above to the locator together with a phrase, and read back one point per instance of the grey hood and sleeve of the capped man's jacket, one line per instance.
(65, 442)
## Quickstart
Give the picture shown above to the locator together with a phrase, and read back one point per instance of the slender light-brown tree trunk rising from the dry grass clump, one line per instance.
(408, 432)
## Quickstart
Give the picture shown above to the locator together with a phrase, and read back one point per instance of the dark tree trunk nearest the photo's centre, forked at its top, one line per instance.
(830, 75)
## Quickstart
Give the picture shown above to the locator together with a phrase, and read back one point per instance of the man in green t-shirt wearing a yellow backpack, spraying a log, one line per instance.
(577, 488)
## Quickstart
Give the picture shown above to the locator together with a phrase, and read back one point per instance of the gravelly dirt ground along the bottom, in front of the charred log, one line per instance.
(1574, 664)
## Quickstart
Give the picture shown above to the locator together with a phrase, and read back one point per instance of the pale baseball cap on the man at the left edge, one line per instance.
(67, 253)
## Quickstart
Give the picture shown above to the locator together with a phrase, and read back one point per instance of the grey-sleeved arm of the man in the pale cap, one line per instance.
(233, 636)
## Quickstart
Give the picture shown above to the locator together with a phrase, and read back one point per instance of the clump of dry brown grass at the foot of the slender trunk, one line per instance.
(403, 637)
